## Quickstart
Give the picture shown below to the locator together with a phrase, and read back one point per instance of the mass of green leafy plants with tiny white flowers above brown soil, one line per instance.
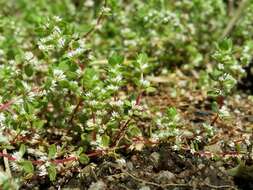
(73, 73)
